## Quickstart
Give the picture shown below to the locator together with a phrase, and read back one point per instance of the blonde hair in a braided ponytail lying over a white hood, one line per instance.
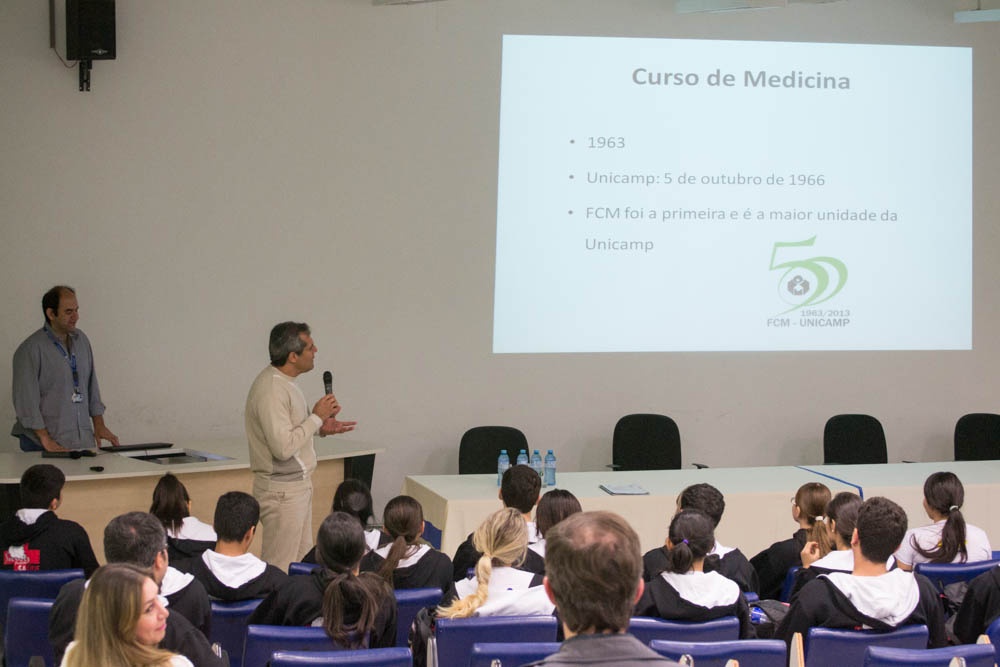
(503, 541)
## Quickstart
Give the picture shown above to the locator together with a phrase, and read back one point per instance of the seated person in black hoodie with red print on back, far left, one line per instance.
(36, 539)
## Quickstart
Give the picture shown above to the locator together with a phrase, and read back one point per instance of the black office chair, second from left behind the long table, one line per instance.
(646, 442)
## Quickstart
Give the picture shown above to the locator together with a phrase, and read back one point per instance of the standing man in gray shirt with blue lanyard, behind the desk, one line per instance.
(56, 397)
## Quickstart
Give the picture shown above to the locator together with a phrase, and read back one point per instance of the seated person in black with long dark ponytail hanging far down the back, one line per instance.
(357, 609)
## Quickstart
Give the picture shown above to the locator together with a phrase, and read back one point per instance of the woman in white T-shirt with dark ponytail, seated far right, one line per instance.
(949, 539)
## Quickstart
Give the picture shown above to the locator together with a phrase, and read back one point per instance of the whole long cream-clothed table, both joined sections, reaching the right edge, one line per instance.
(758, 500)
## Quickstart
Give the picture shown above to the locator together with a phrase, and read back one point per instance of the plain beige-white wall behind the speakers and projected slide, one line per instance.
(245, 162)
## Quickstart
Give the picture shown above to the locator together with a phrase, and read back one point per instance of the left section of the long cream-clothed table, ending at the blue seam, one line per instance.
(758, 501)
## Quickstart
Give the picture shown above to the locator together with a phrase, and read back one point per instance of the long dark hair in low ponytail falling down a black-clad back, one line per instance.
(340, 545)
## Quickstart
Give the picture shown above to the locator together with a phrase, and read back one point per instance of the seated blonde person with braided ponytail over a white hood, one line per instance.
(499, 589)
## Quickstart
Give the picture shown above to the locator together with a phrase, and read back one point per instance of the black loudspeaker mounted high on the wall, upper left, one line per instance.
(84, 29)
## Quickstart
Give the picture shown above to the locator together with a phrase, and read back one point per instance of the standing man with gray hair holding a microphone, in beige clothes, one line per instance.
(280, 429)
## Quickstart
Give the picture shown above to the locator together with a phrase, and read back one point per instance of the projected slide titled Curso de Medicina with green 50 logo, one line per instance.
(691, 195)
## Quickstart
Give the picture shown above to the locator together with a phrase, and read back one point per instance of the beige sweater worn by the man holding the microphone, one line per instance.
(280, 428)
